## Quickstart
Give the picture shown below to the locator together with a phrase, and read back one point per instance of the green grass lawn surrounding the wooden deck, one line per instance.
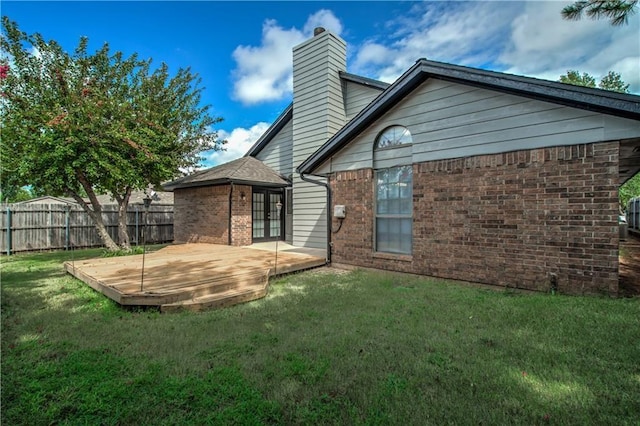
(321, 348)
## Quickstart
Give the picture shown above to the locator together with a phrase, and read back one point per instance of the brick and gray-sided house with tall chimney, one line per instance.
(450, 171)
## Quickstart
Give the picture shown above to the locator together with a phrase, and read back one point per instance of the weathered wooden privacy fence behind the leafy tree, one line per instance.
(32, 227)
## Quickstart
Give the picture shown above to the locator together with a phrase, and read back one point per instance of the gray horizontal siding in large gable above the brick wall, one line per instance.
(450, 120)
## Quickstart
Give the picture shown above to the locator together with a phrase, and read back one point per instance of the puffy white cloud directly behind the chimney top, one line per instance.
(264, 73)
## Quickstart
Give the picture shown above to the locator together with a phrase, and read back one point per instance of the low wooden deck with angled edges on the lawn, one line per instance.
(189, 276)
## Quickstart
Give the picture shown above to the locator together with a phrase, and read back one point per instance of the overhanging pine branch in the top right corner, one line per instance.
(618, 11)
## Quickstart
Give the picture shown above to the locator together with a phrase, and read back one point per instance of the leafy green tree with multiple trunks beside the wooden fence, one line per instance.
(81, 124)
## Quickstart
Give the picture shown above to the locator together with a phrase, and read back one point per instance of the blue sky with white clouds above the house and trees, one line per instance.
(242, 50)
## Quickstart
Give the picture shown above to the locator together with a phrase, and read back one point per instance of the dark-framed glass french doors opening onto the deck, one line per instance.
(267, 224)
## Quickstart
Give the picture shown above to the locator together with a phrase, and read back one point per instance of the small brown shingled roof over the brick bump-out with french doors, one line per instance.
(245, 171)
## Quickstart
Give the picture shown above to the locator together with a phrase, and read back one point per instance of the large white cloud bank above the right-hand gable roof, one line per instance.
(526, 38)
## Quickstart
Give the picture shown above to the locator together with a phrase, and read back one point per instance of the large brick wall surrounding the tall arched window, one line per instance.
(512, 219)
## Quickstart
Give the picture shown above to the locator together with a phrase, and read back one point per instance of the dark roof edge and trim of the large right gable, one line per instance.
(607, 102)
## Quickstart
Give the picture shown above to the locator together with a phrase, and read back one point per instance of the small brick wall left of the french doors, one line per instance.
(201, 215)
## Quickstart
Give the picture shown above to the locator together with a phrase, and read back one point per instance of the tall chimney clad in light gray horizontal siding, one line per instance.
(318, 113)
